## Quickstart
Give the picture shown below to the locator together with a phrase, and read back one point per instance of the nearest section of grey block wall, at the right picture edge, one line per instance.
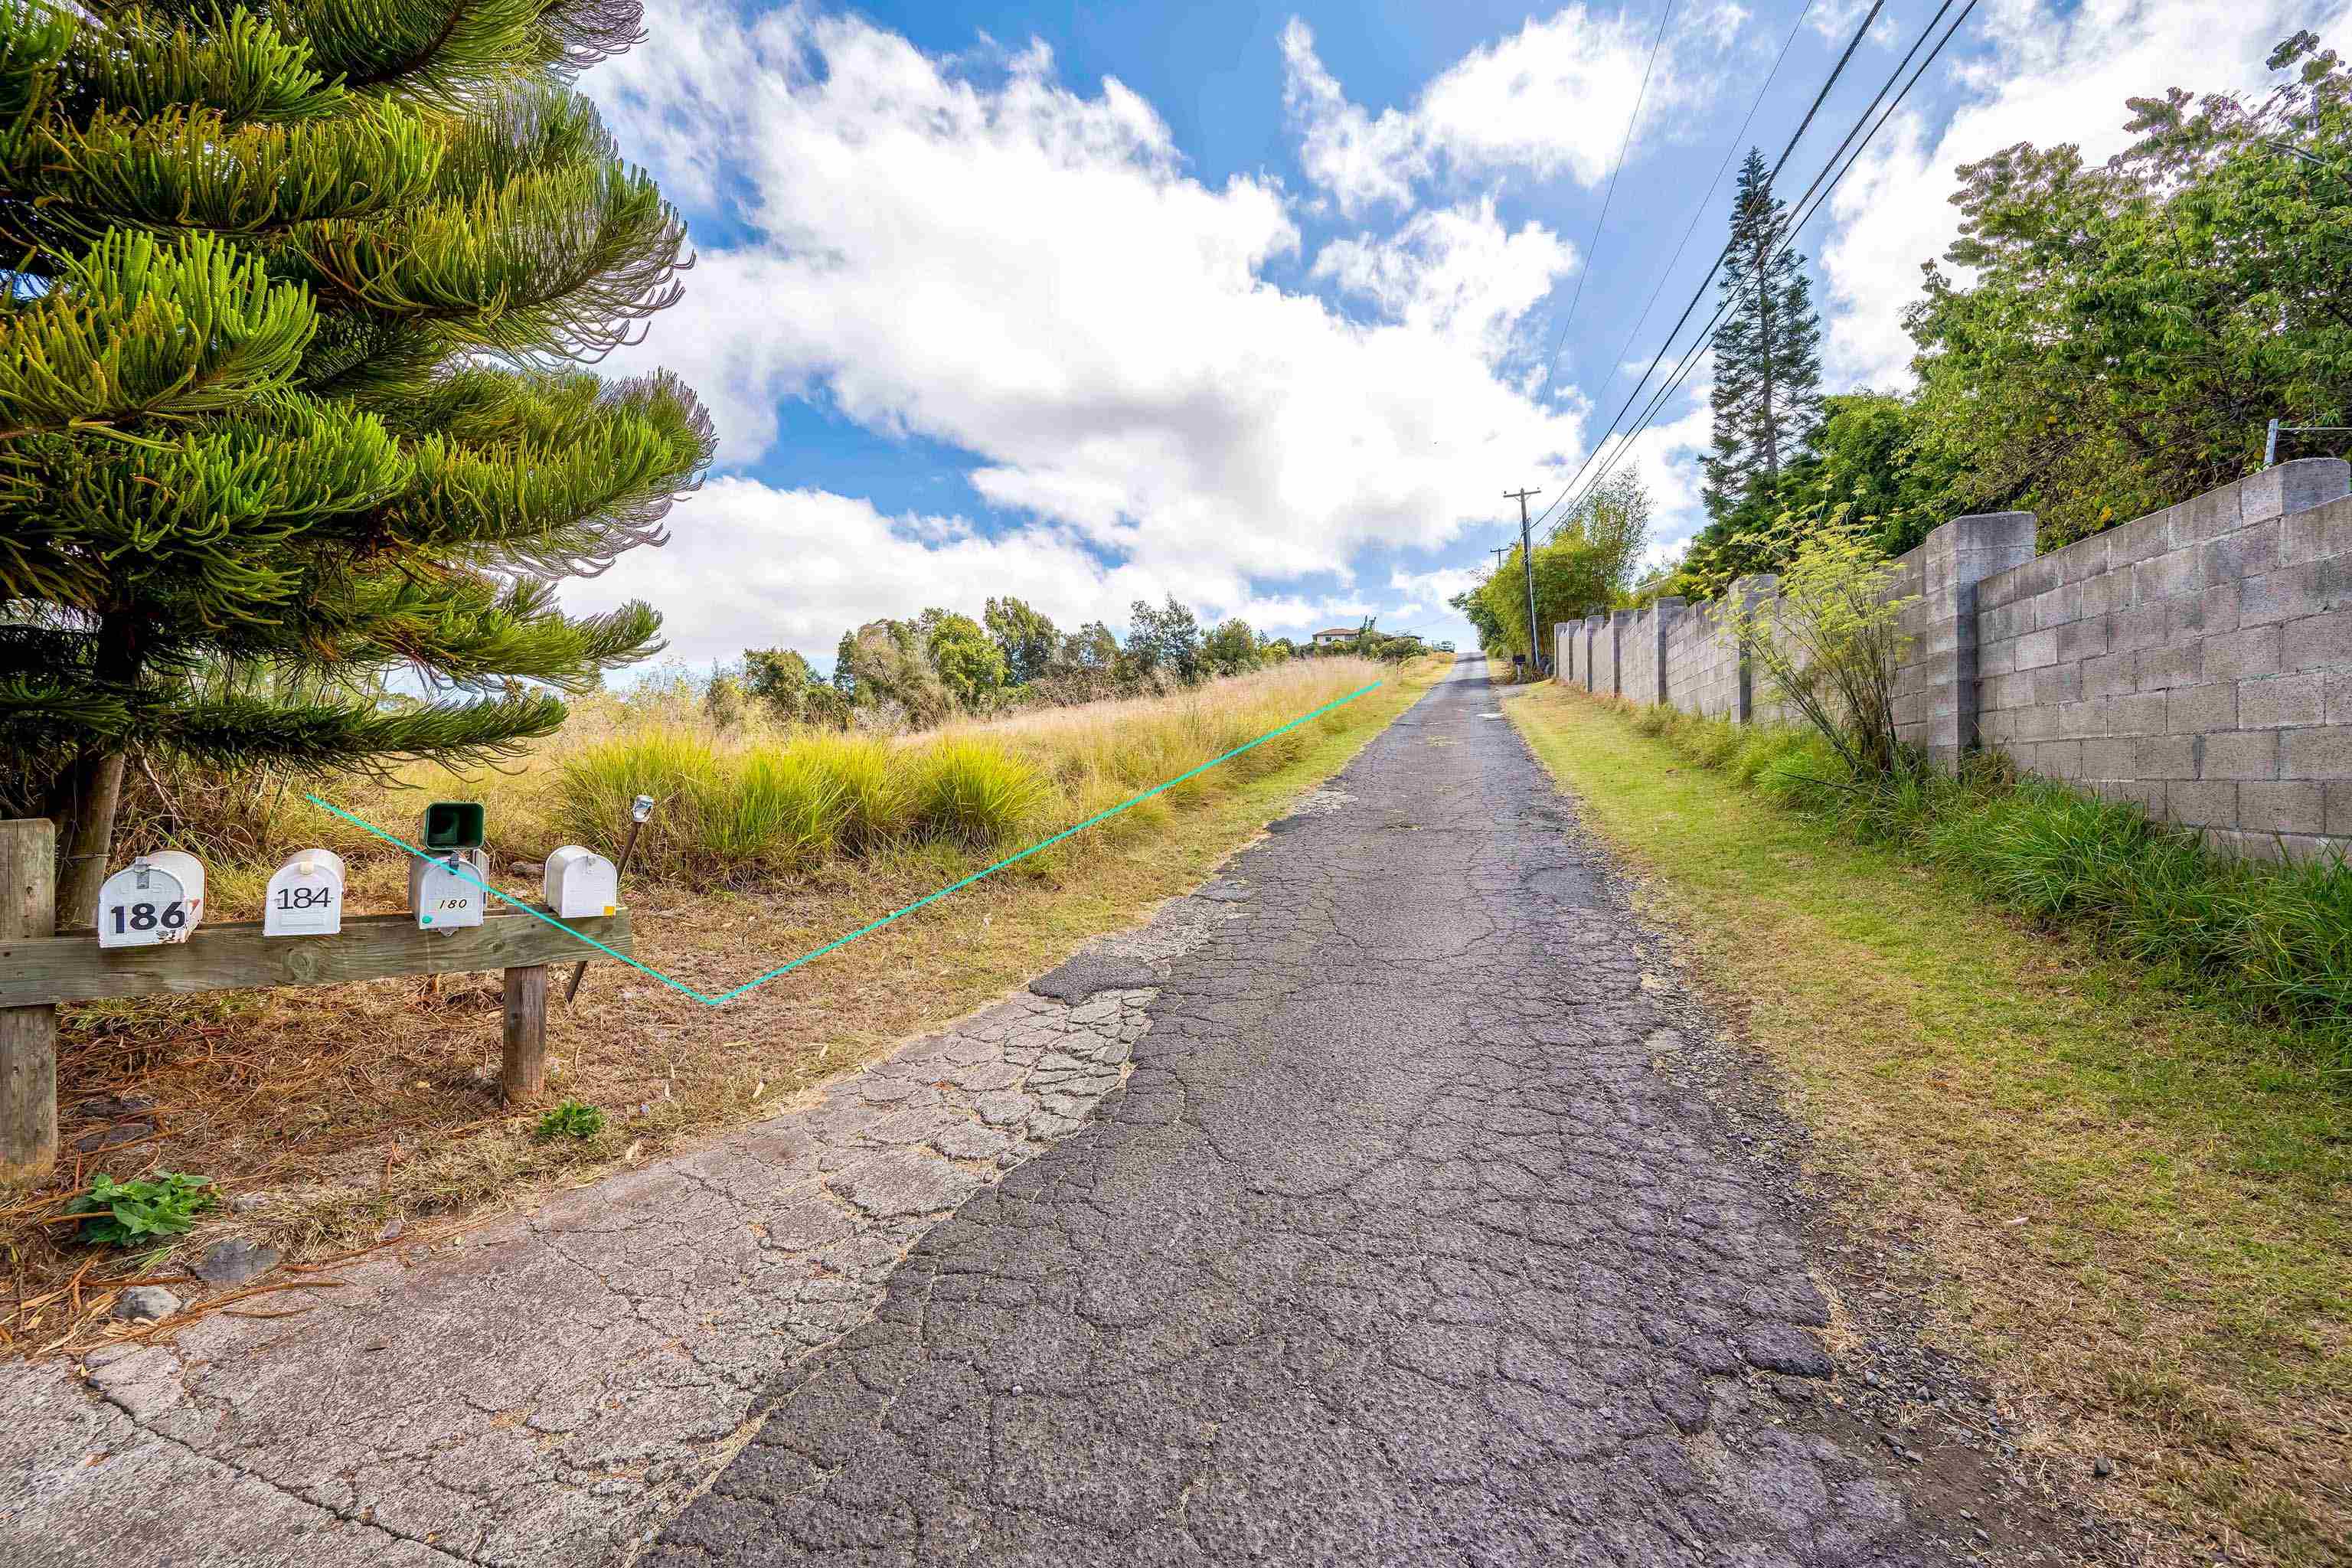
(2198, 662)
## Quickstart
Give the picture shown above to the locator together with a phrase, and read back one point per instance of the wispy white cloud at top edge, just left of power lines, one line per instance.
(1549, 100)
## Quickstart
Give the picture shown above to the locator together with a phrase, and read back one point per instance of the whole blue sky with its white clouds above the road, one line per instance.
(1257, 304)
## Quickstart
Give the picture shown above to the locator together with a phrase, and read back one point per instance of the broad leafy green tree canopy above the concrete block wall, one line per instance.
(2102, 342)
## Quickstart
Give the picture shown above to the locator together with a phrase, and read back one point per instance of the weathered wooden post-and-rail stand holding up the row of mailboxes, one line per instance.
(41, 970)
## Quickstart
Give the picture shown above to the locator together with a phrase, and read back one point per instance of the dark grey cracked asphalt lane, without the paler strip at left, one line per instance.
(1398, 1247)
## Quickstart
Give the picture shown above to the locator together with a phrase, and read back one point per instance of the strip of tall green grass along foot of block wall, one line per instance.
(2266, 942)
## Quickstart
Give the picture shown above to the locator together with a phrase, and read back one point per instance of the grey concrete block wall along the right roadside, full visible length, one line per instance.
(2196, 659)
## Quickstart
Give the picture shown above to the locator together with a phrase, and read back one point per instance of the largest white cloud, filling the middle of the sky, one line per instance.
(991, 260)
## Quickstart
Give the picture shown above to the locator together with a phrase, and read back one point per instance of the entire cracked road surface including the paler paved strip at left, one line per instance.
(1356, 1209)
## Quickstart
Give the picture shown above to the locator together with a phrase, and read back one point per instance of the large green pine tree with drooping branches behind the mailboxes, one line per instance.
(293, 384)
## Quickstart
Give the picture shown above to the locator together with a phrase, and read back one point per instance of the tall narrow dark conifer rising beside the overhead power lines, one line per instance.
(1768, 349)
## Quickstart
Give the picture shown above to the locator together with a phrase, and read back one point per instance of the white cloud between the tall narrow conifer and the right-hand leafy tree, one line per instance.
(2052, 74)
